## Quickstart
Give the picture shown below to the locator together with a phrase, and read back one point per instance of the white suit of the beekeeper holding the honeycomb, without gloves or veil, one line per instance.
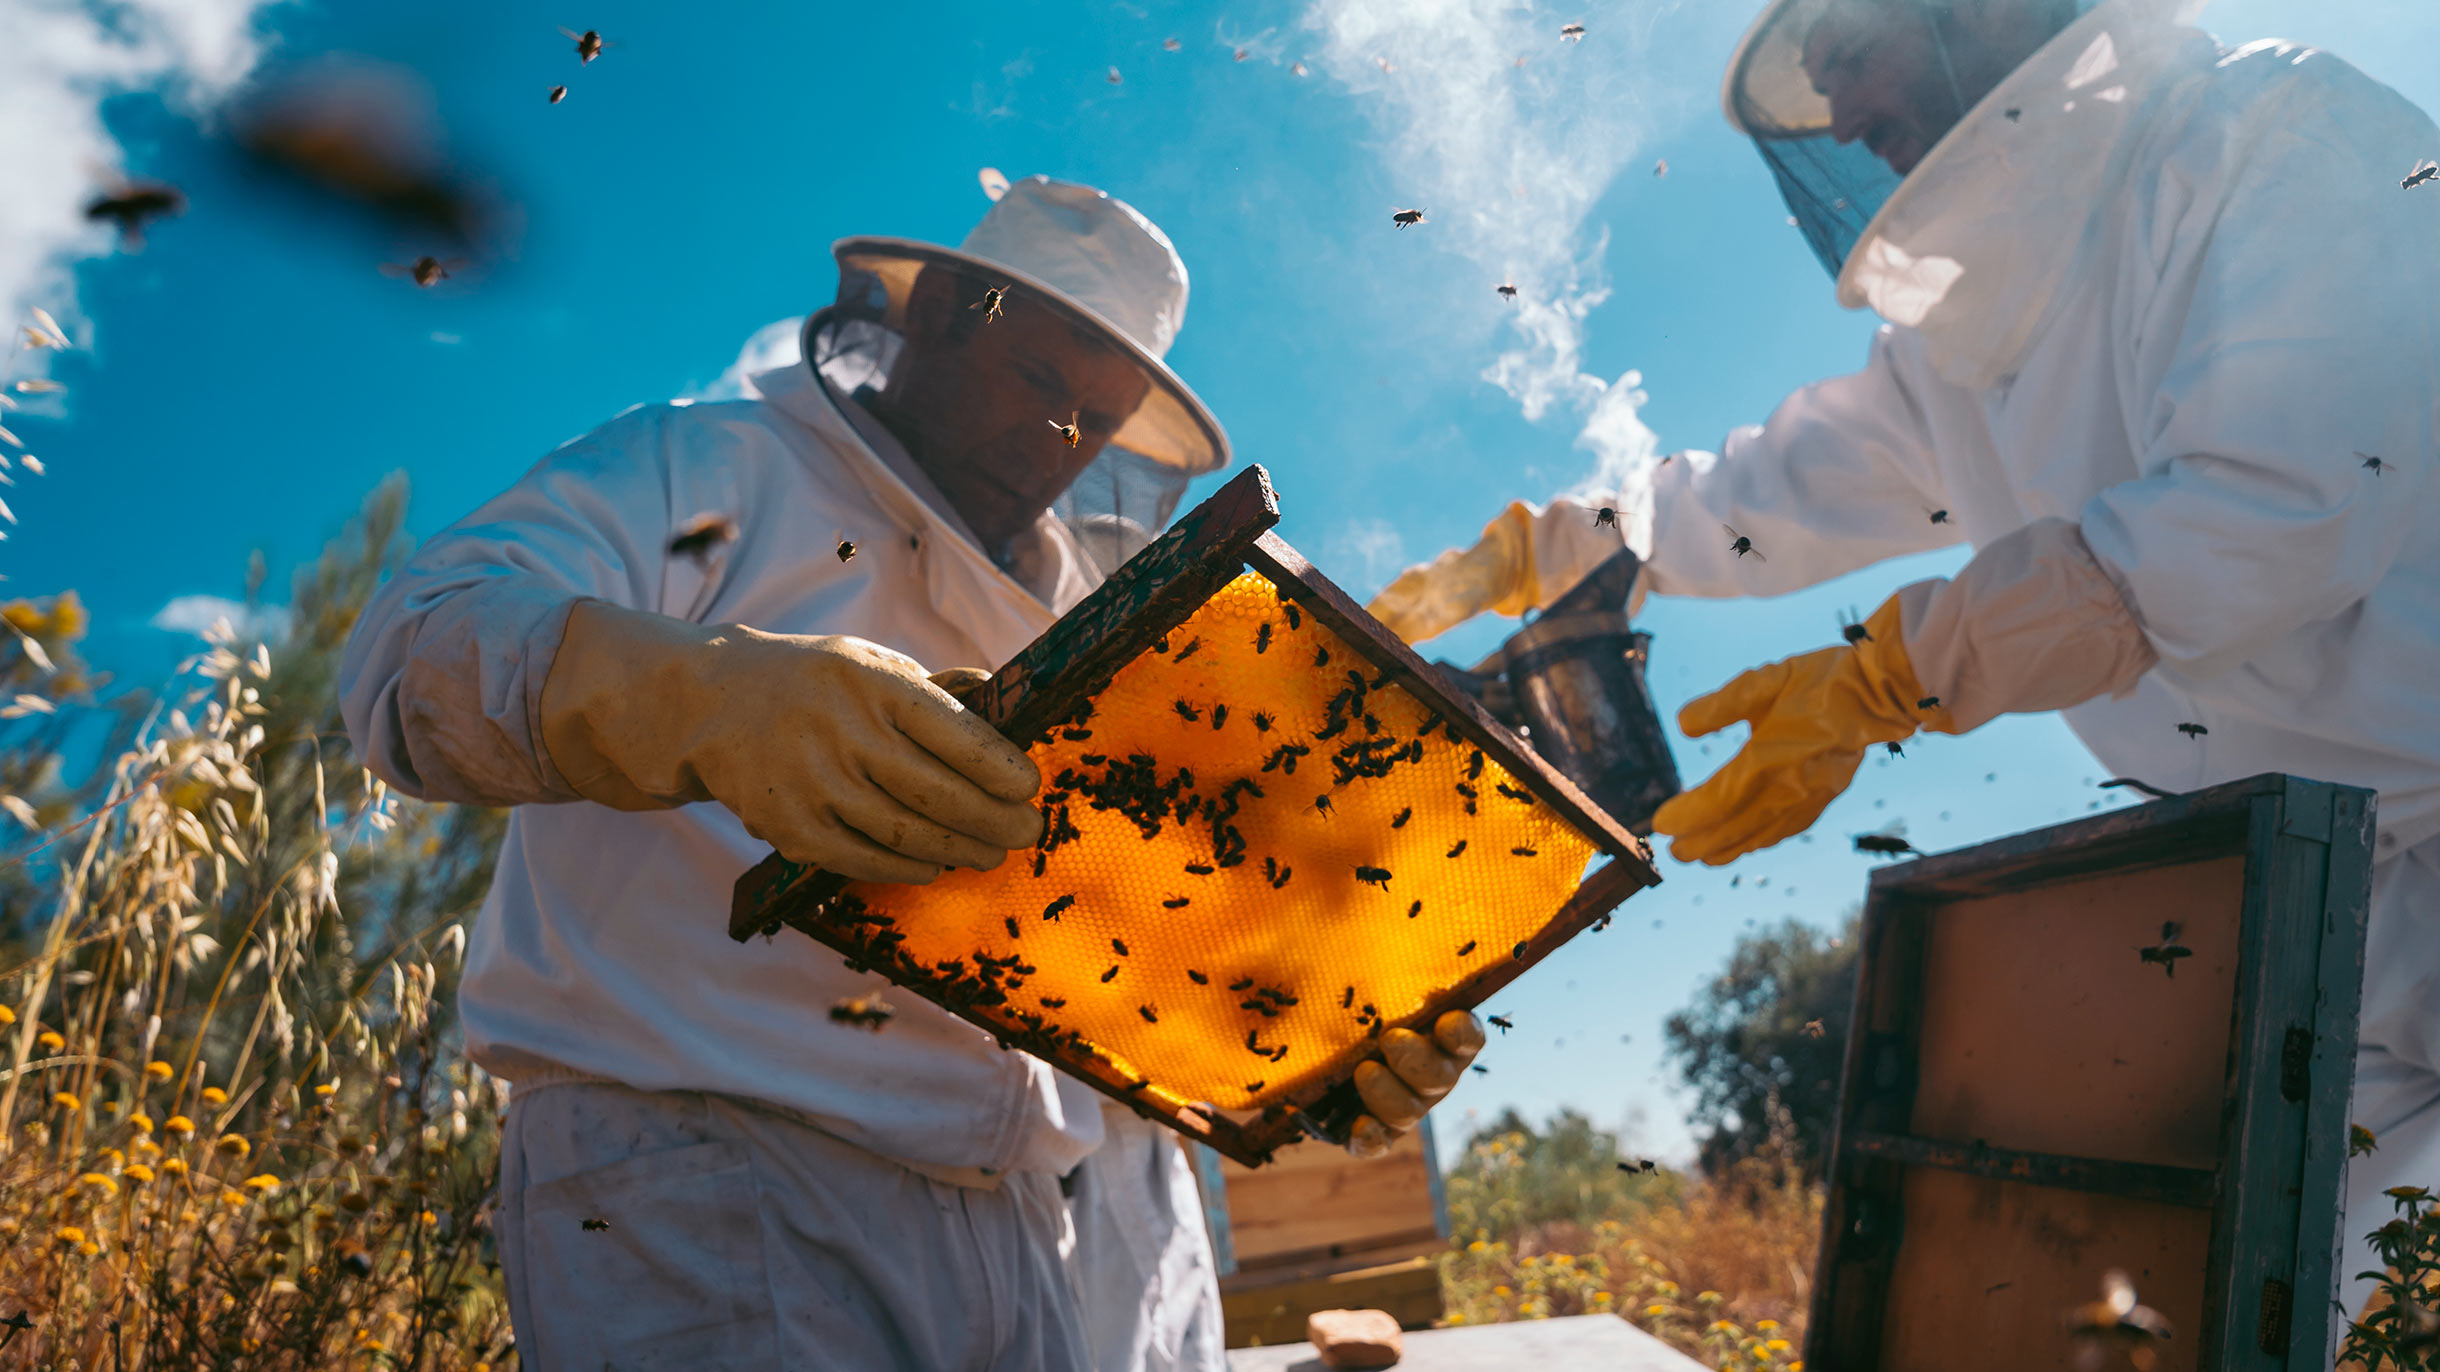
(780, 1190)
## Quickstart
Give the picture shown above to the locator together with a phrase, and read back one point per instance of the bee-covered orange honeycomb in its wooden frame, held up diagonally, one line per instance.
(1270, 836)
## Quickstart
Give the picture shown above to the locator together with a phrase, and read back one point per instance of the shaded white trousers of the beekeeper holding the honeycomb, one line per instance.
(682, 1232)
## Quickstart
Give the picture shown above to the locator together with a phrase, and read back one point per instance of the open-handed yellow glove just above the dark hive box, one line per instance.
(1814, 717)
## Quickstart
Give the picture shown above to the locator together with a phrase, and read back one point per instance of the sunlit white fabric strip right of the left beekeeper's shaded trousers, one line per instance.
(1143, 1254)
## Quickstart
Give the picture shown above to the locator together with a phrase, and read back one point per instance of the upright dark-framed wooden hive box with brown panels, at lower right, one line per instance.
(2029, 1102)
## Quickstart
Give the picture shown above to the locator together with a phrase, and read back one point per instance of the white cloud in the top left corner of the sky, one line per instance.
(60, 60)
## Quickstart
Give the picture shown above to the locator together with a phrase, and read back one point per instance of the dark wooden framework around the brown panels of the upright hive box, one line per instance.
(2278, 1188)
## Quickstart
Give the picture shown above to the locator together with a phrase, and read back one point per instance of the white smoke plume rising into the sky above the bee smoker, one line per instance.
(1509, 160)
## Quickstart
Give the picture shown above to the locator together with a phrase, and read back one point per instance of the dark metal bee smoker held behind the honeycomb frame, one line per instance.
(1573, 682)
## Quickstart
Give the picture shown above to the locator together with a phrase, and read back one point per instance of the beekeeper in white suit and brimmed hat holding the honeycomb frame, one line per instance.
(701, 634)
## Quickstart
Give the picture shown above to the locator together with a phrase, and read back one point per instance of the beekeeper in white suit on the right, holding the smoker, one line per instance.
(2163, 345)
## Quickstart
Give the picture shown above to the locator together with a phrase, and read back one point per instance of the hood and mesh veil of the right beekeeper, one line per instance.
(1975, 240)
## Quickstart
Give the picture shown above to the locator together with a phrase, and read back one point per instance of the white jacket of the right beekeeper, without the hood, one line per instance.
(2180, 323)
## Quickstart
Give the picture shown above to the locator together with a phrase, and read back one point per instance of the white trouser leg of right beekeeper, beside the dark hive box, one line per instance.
(2397, 1063)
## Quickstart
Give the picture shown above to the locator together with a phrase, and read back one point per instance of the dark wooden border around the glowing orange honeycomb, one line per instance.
(1075, 660)
